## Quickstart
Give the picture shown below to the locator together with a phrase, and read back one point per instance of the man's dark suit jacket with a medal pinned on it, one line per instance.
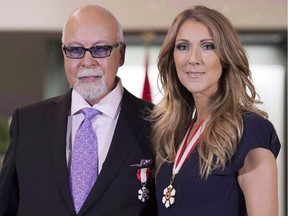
(34, 180)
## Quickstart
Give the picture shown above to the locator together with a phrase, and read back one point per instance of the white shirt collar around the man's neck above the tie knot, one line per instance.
(109, 105)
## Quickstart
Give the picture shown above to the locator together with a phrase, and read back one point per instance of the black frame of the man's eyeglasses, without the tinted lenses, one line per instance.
(109, 49)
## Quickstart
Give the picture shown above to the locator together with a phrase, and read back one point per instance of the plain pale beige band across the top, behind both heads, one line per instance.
(139, 15)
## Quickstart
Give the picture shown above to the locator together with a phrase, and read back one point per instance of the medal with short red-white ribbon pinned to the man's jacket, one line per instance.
(142, 175)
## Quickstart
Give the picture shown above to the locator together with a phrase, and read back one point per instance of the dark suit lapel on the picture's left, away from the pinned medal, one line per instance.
(57, 115)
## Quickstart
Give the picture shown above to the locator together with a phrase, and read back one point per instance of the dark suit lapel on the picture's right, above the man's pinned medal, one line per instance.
(124, 138)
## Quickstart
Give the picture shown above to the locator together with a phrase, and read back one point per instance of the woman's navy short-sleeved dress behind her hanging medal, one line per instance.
(220, 194)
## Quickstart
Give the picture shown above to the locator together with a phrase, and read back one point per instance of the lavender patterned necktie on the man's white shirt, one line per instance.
(84, 162)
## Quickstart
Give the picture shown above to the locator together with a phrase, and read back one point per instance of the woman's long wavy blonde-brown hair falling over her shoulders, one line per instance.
(235, 96)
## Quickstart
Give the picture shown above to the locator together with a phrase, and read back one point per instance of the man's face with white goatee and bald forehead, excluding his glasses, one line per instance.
(92, 77)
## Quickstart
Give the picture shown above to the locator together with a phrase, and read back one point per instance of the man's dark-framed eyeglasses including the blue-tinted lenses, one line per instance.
(101, 51)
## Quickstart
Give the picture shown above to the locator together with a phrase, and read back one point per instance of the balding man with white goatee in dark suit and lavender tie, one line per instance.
(38, 175)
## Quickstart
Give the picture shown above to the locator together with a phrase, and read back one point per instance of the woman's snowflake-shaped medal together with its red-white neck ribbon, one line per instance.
(169, 193)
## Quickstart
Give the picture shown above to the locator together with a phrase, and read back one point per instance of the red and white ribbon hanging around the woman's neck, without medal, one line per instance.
(182, 153)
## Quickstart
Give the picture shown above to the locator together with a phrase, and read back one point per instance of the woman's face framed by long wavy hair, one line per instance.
(198, 66)
